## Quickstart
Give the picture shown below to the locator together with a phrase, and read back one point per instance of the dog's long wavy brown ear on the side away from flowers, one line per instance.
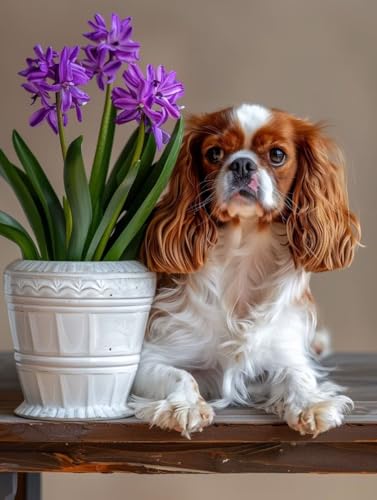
(322, 231)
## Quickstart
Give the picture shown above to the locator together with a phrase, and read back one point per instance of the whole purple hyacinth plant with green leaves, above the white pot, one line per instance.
(90, 224)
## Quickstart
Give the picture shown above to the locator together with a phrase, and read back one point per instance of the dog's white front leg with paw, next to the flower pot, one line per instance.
(179, 405)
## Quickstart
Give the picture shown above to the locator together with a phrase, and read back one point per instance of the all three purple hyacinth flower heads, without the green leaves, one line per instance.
(55, 79)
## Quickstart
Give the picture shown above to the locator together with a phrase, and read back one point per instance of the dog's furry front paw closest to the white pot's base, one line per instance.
(175, 413)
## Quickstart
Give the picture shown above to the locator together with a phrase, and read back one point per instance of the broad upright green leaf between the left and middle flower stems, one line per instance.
(78, 195)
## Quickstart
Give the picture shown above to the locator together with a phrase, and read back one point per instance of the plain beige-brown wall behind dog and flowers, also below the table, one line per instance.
(316, 59)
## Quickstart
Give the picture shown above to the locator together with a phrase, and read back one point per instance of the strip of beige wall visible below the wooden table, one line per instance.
(209, 487)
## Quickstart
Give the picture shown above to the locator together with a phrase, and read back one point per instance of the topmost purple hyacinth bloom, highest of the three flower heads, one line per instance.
(117, 39)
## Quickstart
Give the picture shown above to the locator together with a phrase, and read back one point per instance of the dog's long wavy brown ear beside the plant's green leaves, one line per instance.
(179, 235)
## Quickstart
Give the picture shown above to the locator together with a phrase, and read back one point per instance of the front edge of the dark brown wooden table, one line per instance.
(186, 457)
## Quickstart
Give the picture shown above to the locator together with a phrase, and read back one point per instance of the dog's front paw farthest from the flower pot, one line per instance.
(320, 417)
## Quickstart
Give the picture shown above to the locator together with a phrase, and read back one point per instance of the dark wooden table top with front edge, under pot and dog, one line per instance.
(240, 440)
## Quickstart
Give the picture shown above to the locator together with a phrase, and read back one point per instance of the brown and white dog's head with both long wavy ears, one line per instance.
(248, 162)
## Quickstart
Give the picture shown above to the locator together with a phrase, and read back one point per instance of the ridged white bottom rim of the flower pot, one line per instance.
(38, 412)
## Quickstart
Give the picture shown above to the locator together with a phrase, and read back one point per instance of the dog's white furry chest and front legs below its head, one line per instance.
(236, 332)
